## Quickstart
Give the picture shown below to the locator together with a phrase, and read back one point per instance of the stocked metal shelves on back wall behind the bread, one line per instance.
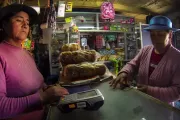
(119, 36)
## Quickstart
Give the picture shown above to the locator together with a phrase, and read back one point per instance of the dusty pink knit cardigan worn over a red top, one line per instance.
(164, 82)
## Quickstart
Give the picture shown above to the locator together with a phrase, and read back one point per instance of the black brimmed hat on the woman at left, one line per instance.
(14, 8)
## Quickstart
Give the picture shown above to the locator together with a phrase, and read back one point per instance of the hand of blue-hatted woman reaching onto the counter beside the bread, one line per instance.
(122, 79)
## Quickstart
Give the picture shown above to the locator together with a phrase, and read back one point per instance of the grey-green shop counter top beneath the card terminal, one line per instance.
(129, 104)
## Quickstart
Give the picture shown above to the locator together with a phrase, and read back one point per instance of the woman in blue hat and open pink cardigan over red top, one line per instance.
(158, 66)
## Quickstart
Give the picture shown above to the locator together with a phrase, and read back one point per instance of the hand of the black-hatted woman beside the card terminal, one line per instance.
(52, 93)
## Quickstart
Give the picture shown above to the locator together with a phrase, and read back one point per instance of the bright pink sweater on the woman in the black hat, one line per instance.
(20, 81)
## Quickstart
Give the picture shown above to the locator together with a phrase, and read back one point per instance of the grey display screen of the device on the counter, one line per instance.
(86, 94)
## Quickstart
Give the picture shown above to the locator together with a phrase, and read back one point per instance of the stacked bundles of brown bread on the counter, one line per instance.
(80, 64)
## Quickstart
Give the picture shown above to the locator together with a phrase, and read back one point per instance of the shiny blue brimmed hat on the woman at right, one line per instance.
(160, 23)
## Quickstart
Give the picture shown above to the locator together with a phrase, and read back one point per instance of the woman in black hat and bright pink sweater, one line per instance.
(21, 84)
